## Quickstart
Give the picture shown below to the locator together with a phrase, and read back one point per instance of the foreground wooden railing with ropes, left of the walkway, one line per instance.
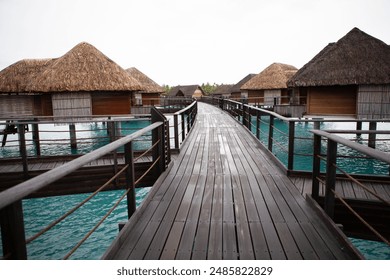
(11, 212)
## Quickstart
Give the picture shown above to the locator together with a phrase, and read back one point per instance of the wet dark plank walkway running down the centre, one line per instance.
(224, 199)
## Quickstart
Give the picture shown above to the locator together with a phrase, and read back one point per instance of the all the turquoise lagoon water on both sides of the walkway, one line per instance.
(58, 241)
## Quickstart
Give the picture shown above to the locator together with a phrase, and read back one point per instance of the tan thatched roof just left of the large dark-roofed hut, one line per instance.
(274, 76)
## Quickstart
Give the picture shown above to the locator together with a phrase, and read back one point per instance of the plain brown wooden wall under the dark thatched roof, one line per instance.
(332, 100)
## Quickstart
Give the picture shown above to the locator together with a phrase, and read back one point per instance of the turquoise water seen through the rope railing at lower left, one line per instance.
(57, 242)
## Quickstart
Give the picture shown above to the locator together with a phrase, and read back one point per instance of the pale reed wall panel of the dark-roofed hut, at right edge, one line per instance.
(373, 102)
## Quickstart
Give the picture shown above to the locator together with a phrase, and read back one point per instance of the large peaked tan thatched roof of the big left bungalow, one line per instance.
(84, 68)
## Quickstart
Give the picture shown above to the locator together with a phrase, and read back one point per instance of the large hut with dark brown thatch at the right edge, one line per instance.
(349, 77)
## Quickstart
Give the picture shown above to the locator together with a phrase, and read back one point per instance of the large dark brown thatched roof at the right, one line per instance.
(357, 58)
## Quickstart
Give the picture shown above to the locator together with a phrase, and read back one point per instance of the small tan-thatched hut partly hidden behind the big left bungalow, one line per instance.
(150, 95)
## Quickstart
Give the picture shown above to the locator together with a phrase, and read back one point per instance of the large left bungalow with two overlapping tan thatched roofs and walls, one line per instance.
(83, 82)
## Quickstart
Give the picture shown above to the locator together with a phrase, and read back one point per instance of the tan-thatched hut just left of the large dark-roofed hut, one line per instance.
(269, 87)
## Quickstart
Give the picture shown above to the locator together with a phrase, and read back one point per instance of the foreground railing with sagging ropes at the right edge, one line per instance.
(332, 169)
